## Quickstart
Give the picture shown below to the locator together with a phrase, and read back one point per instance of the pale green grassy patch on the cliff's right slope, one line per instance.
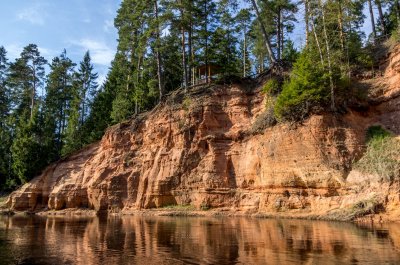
(382, 154)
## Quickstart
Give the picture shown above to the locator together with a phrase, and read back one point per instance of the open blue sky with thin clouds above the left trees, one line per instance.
(76, 25)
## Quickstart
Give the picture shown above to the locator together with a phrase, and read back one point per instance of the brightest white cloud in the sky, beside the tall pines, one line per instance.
(100, 52)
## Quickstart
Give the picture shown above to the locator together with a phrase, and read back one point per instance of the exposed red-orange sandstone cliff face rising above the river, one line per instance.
(200, 151)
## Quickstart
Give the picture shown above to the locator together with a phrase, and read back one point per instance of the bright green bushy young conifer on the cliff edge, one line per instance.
(307, 88)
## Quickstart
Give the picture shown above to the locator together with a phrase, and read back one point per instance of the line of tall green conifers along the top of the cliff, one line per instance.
(162, 45)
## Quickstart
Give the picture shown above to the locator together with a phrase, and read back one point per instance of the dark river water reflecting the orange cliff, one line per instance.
(179, 240)
